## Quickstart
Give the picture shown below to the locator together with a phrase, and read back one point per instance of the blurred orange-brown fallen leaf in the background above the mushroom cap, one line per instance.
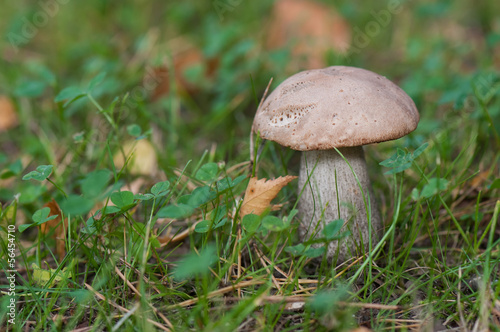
(310, 29)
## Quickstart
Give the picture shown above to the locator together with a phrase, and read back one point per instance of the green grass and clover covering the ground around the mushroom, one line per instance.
(175, 257)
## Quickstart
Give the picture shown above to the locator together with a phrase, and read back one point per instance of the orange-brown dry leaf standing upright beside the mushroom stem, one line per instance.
(260, 193)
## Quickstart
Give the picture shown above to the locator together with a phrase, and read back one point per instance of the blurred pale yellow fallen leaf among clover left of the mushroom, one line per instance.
(143, 161)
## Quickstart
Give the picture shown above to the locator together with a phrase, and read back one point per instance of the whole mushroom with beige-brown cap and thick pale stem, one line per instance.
(323, 111)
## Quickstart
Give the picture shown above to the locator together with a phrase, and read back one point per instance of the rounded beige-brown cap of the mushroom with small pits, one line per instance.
(336, 106)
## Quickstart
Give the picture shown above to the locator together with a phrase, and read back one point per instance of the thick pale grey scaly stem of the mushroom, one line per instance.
(334, 193)
